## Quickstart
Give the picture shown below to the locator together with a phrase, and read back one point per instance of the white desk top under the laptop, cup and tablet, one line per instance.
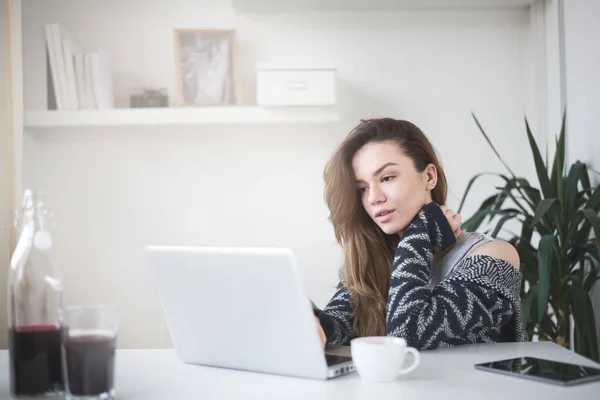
(443, 375)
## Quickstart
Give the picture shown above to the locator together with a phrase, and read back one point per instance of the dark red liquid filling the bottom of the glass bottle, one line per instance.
(35, 360)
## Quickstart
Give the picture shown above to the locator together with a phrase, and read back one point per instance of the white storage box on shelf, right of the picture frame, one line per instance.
(289, 86)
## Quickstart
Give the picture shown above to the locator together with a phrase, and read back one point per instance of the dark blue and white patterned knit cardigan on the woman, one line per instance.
(478, 303)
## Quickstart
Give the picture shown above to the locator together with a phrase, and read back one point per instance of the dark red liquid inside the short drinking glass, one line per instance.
(90, 363)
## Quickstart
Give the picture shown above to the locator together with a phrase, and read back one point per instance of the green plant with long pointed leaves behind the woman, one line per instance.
(559, 257)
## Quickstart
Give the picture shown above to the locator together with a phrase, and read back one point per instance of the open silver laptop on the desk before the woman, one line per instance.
(241, 308)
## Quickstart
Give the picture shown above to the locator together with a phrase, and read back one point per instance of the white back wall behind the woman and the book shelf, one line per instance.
(116, 190)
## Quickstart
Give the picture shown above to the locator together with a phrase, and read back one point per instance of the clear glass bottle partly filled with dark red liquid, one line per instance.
(35, 306)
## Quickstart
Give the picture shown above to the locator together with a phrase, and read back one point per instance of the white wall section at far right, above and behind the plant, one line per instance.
(582, 62)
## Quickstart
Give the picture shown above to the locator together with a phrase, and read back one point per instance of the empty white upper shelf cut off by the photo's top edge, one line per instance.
(250, 6)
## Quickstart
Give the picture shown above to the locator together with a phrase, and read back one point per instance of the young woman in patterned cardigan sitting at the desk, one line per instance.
(409, 270)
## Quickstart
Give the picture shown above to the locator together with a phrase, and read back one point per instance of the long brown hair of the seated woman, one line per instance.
(368, 251)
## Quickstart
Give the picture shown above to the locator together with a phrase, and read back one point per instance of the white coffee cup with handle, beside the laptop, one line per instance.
(380, 358)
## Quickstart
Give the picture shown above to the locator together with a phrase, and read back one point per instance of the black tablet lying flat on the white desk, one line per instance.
(555, 372)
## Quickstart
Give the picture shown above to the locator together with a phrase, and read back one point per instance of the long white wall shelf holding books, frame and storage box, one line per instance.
(179, 116)
